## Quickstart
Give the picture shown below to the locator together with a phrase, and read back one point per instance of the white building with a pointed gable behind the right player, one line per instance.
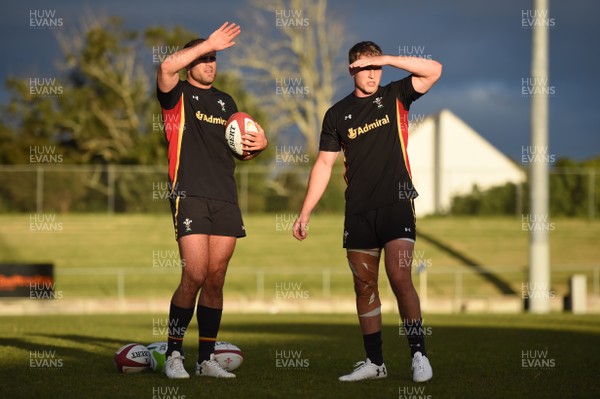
(447, 158)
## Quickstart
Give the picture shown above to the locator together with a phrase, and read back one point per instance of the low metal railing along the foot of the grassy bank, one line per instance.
(292, 283)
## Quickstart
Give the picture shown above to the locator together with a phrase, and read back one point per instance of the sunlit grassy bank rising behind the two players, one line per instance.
(102, 244)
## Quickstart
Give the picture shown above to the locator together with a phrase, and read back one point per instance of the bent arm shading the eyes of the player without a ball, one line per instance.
(425, 72)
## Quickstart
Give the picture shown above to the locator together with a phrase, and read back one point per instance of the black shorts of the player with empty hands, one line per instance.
(373, 229)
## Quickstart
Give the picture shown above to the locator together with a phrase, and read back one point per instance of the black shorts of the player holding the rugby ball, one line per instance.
(199, 215)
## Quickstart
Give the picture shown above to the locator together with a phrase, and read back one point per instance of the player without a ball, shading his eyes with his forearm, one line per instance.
(371, 126)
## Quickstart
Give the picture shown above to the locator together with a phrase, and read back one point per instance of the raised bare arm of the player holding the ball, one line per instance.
(220, 39)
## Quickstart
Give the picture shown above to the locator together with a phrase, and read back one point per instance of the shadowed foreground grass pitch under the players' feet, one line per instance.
(473, 356)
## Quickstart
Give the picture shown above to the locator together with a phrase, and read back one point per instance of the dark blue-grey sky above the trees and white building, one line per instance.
(482, 44)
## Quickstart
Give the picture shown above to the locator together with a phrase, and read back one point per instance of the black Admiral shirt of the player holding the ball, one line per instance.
(200, 161)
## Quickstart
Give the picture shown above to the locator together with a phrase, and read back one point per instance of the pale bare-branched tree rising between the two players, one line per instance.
(303, 48)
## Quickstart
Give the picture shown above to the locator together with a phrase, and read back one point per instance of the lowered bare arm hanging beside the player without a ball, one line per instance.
(317, 183)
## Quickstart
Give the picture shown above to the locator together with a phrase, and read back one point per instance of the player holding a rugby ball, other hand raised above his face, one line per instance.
(203, 193)
